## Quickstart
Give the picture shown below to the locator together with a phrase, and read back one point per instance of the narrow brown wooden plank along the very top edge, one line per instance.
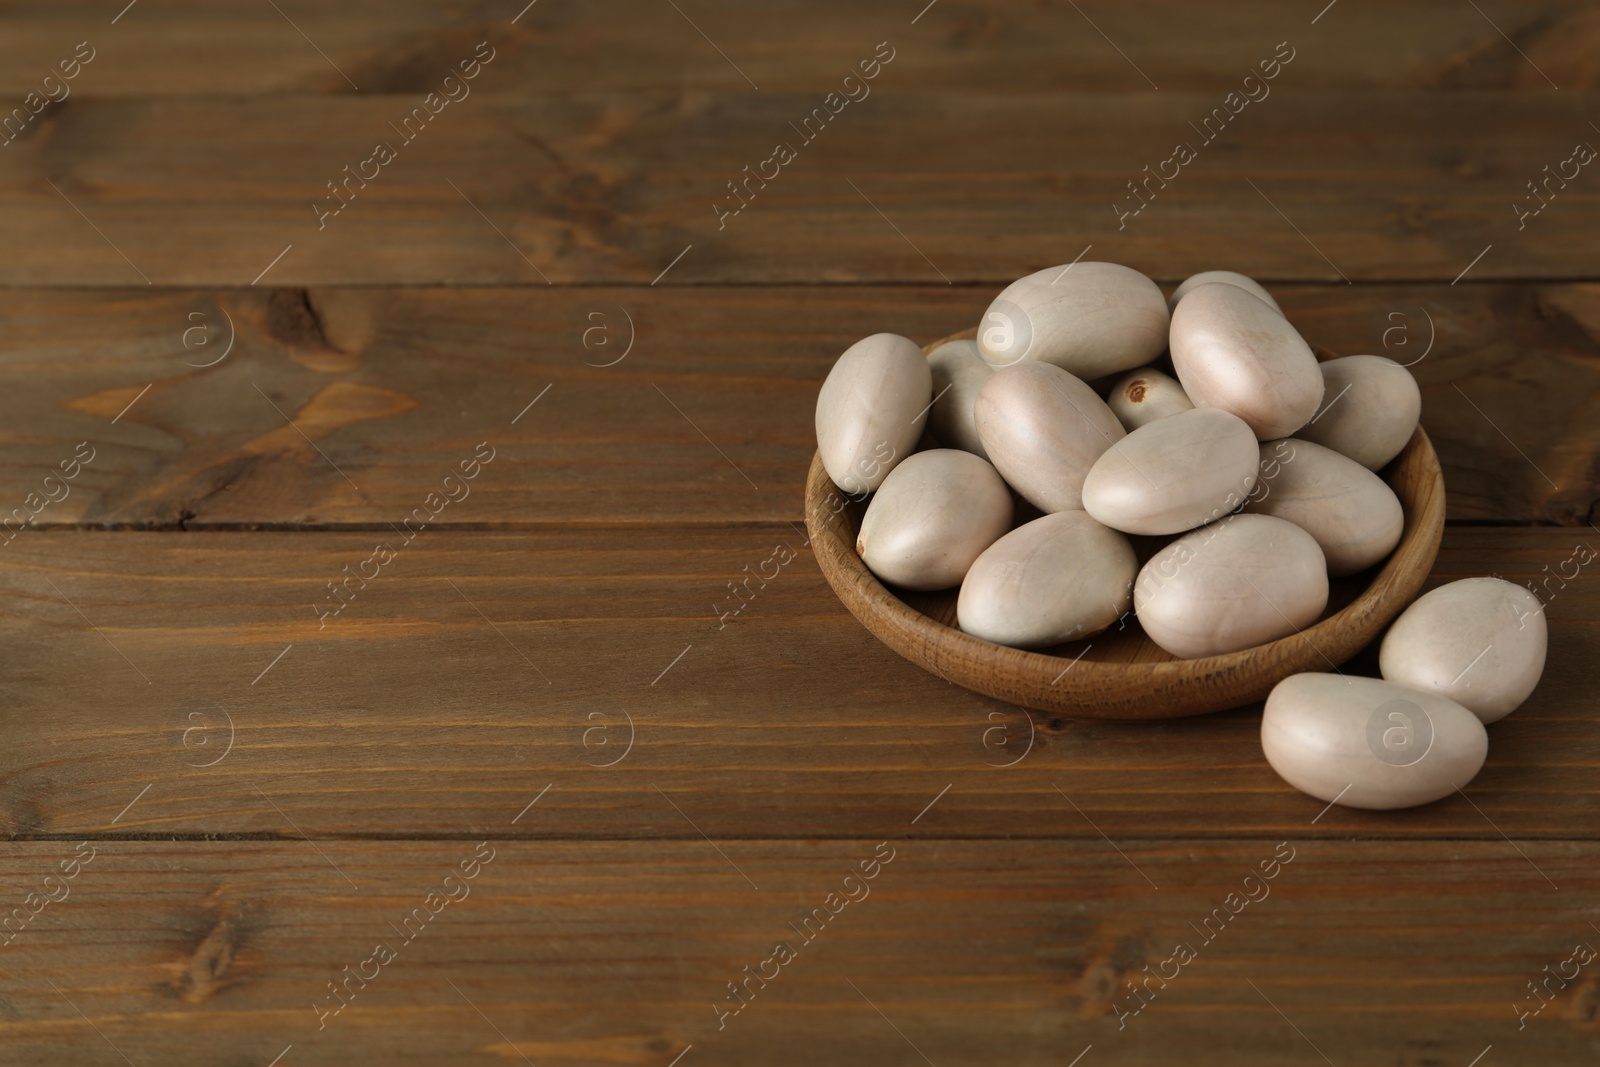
(190, 47)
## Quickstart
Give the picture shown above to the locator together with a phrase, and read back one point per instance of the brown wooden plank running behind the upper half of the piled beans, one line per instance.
(684, 407)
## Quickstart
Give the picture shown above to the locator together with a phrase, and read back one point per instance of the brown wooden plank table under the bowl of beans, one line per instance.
(369, 697)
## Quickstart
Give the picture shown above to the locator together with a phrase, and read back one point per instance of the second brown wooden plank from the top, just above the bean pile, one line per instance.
(1308, 185)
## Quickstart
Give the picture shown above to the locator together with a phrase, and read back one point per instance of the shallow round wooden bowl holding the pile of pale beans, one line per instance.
(1121, 673)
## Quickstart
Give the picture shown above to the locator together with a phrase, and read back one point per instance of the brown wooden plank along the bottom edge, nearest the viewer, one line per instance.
(953, 954)
